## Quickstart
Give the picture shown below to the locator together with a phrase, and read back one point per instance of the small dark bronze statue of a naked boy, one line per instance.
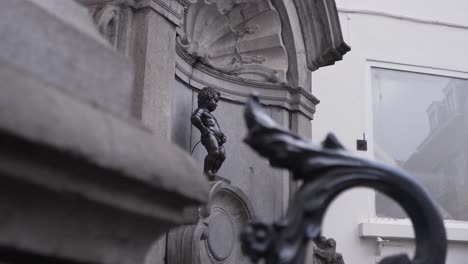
(211, 136)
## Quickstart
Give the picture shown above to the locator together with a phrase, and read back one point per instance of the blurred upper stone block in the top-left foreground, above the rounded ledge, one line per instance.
(57, 41)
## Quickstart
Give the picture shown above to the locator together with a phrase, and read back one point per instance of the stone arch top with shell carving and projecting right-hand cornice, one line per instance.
(274, 41)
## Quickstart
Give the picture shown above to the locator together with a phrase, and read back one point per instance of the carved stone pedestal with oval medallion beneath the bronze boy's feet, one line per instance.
(214, 239)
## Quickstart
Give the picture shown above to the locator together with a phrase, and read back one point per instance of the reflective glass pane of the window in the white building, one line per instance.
(421, 124)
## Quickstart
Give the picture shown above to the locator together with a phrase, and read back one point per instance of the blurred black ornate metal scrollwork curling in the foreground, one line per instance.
(328, 170)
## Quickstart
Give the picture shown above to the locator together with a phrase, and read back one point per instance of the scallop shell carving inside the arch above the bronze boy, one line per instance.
(236, 37)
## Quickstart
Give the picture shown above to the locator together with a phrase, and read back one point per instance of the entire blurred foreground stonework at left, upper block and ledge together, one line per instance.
(81, 179)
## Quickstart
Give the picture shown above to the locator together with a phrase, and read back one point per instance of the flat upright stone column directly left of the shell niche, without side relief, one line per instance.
(154, 54)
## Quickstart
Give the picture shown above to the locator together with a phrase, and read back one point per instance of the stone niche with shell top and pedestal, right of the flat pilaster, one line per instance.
(239, 47)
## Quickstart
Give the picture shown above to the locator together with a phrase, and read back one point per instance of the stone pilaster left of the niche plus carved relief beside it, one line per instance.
(144, 30)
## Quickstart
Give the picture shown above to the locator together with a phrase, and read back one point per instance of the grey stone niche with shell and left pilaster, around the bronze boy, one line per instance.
(237, 47)
